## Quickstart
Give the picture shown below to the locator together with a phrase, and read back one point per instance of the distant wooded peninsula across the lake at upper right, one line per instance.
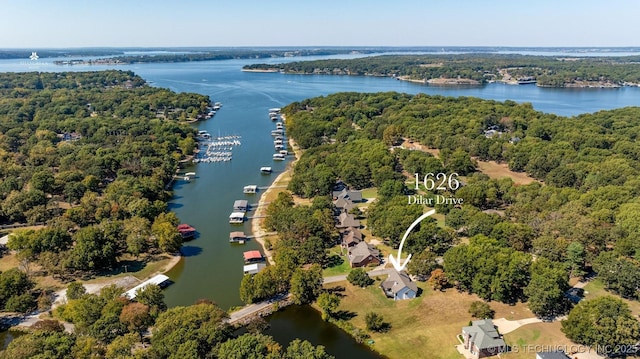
(548, 71)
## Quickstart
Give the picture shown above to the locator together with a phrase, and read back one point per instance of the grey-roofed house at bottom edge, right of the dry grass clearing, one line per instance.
(482, 339)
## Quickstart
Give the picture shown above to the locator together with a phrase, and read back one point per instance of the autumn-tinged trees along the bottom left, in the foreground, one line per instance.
(107, 325)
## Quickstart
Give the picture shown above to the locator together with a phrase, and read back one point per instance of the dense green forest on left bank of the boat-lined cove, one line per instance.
(89, 154)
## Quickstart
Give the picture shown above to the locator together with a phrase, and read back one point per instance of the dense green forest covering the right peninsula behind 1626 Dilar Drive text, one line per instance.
(524, 241)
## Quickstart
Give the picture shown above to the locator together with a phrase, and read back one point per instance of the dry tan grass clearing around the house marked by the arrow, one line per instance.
(427, 324)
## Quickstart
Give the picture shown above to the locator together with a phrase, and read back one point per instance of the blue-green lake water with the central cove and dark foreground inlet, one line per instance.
(212, 268)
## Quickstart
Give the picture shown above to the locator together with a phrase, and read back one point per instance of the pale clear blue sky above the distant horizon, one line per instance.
(186, 23)
